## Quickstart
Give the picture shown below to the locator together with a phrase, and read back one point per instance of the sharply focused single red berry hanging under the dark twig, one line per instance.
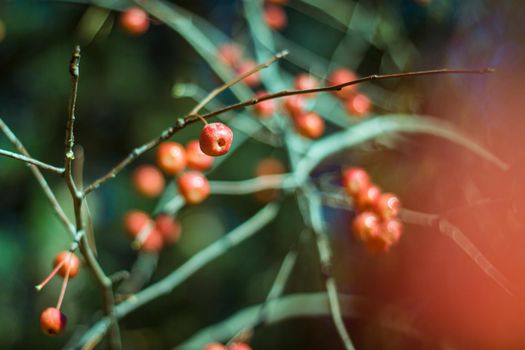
(215, 139)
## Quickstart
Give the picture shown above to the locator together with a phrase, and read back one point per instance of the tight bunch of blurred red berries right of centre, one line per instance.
(376, 224)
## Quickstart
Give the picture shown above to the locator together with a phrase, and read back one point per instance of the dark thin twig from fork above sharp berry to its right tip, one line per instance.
(374, 77)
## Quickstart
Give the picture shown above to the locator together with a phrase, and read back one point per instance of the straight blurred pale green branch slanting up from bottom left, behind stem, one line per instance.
(189, 268)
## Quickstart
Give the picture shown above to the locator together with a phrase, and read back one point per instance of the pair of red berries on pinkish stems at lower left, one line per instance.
(52, 320)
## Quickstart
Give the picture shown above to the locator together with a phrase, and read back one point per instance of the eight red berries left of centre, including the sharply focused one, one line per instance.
(173, 158)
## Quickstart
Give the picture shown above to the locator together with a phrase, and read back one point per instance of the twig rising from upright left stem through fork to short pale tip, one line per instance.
(179, 124)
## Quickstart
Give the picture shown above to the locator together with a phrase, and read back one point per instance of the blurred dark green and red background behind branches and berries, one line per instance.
(126, 97)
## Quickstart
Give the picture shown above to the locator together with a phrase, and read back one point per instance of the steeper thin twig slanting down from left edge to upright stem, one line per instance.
(57, 208)
